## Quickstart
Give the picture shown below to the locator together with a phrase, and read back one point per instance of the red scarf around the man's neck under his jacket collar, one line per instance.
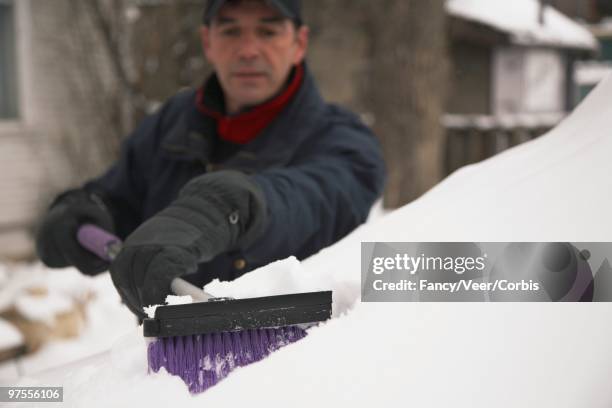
(245, 127)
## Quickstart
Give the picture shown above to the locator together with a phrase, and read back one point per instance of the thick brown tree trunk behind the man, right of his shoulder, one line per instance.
(406, 92)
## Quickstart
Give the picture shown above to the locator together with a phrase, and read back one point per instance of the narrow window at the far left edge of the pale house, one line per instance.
(8, 65)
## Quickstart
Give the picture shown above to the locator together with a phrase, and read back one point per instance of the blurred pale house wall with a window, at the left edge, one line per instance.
(45, 101)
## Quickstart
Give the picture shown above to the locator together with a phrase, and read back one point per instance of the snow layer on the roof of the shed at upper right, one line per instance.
(520, 18)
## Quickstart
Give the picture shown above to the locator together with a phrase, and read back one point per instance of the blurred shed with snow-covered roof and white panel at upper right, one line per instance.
(512, 78)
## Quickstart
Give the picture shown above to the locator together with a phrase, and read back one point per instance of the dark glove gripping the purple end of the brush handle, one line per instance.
(56, 242)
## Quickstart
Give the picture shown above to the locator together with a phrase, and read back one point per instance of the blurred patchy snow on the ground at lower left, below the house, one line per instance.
(106, 317)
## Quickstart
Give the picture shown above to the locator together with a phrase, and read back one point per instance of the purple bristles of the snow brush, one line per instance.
(202, 361)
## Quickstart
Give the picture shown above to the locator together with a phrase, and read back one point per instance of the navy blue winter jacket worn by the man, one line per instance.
(320, 168)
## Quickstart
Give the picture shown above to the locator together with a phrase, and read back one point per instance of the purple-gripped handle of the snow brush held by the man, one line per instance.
(107, 246)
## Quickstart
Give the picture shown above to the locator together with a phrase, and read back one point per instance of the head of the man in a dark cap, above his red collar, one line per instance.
(253, 49)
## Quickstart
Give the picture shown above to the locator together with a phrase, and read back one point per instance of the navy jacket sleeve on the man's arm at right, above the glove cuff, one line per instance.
(323, 195)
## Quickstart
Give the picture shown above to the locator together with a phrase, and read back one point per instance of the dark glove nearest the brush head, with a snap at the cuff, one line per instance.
(214, 213)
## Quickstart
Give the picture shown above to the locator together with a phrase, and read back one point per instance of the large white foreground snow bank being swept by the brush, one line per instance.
(556, 188)
